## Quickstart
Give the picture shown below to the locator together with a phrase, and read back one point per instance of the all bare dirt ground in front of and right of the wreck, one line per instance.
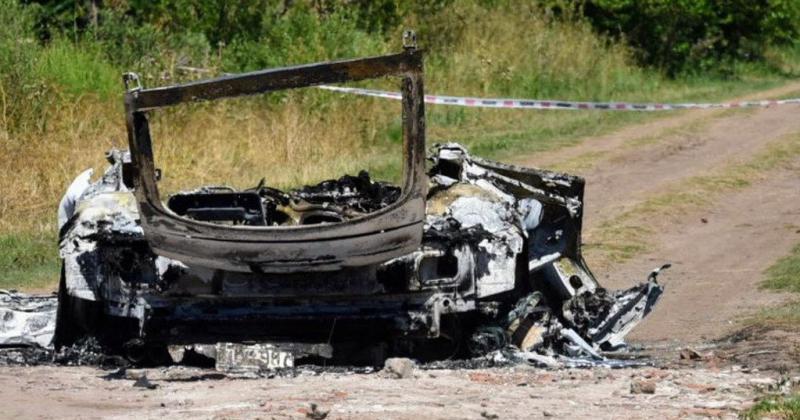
(718, 253)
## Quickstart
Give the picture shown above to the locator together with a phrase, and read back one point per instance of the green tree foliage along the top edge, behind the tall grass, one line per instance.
(673, 35)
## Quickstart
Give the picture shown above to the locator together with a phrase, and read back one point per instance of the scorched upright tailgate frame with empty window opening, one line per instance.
(374, 238)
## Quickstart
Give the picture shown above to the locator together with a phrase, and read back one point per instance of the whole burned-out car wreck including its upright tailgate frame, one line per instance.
(468, 257)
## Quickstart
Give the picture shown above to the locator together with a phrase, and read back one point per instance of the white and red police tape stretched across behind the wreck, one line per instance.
(568, 105)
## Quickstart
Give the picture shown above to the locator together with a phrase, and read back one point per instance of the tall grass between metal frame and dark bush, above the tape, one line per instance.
(523, 52)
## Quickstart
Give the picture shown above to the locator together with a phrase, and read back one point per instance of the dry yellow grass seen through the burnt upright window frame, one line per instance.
(308, 139)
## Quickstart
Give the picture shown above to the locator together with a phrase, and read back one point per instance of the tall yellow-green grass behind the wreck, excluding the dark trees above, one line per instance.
(60, 107)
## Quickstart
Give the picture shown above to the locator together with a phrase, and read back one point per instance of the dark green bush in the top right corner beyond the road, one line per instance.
(696, 35)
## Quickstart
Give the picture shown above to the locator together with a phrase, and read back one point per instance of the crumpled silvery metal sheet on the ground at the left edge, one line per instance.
(27, 320)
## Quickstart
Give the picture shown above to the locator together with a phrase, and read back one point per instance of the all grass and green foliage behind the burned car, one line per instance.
(61, 62)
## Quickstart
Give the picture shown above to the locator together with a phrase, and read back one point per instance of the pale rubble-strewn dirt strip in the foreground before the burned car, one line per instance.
(502, 393)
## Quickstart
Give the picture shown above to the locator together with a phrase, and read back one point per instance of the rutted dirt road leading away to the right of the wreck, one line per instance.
(718, 253)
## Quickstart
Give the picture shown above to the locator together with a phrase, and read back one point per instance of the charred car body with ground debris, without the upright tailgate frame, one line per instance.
(498, 279)
